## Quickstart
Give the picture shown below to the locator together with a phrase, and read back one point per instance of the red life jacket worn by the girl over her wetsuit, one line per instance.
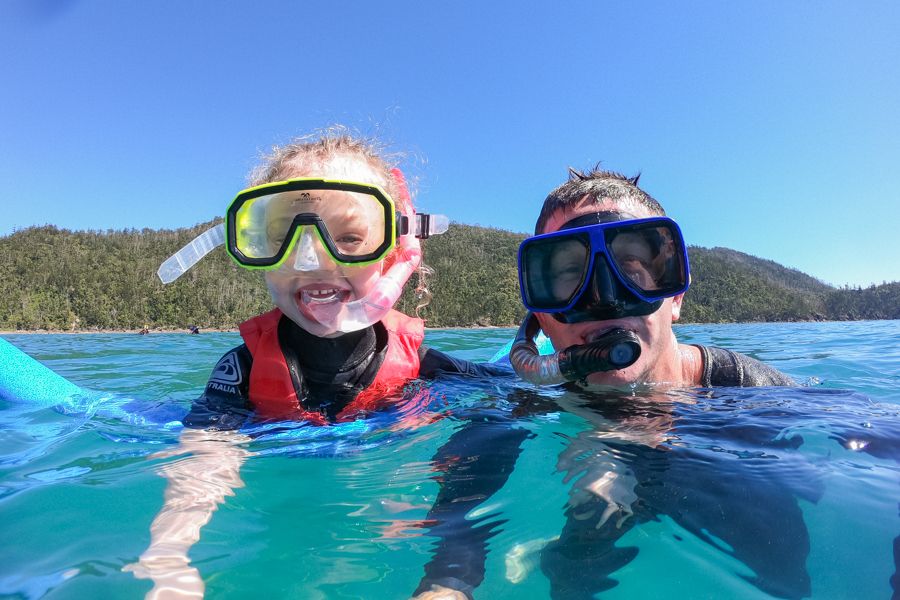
(272, 389)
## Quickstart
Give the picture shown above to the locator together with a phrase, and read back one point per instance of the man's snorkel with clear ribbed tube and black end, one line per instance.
(614, 350)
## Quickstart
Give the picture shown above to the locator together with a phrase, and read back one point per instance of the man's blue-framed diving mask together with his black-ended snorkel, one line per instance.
(597, 267)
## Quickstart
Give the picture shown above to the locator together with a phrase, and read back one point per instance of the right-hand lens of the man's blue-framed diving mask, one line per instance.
(649, 257)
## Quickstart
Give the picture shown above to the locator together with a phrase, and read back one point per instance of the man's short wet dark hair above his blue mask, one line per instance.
(599, 184)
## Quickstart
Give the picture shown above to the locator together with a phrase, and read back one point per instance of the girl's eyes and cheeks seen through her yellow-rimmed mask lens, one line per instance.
(355, 222)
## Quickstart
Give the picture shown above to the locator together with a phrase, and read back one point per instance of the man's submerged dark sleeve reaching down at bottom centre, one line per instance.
(472, 466)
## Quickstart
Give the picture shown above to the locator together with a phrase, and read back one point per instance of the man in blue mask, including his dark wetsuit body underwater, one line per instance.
(604, 277)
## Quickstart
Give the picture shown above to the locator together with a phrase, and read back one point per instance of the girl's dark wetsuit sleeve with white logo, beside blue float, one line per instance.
(225, 402)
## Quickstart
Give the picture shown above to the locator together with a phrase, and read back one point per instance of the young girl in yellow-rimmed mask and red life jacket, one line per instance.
(332, 226)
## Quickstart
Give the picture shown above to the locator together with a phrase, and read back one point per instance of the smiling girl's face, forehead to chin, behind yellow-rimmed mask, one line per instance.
(310, 287)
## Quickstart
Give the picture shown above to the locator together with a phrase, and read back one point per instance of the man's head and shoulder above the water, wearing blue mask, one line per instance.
(616, 263)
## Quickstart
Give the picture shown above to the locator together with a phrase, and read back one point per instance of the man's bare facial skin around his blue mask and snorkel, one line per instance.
(658, 345)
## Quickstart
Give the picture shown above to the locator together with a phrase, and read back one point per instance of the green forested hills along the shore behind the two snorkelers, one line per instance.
(57, 279)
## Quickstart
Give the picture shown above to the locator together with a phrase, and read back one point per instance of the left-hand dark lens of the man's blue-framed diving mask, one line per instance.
(554, 270)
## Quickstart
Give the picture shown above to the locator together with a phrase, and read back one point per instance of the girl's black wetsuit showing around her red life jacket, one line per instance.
(333, 372)
